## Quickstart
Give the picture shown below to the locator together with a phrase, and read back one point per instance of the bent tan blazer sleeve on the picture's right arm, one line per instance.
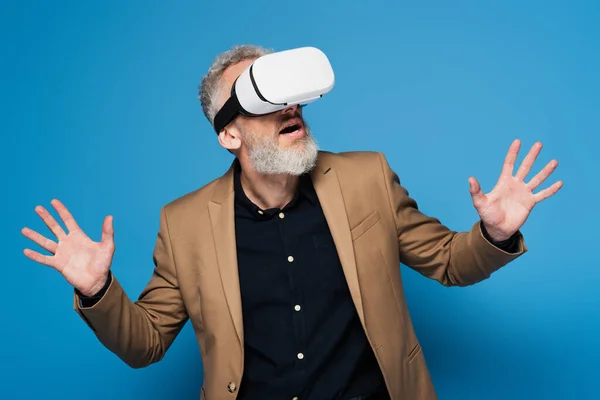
(432, 249)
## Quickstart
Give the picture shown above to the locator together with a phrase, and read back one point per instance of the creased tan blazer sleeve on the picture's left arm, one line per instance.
(140, 332)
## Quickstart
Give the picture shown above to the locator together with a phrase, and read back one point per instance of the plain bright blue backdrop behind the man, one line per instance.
(99, 109)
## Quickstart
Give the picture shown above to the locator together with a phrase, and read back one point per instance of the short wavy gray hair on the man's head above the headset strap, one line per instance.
(210, 88)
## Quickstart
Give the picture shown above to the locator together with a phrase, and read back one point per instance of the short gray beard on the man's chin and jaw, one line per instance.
(268, 158)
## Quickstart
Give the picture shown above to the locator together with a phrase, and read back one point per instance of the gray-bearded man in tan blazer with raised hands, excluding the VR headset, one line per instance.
(288, 265)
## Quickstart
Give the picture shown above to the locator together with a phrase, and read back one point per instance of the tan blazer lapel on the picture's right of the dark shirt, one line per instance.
(327, 186)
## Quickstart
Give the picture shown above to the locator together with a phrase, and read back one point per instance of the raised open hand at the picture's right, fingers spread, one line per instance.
(505, 209)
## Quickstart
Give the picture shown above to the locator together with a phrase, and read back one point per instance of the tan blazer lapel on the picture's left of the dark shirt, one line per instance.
(222, 218)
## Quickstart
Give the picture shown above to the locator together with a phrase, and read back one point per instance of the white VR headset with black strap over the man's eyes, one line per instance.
(276, 81)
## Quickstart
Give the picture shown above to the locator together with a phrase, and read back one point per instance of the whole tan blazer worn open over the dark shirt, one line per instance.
(375, 226)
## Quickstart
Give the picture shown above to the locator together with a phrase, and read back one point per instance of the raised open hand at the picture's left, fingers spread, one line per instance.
(85, 264)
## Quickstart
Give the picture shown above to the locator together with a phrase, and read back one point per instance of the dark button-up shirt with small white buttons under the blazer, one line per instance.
(302, 334)
